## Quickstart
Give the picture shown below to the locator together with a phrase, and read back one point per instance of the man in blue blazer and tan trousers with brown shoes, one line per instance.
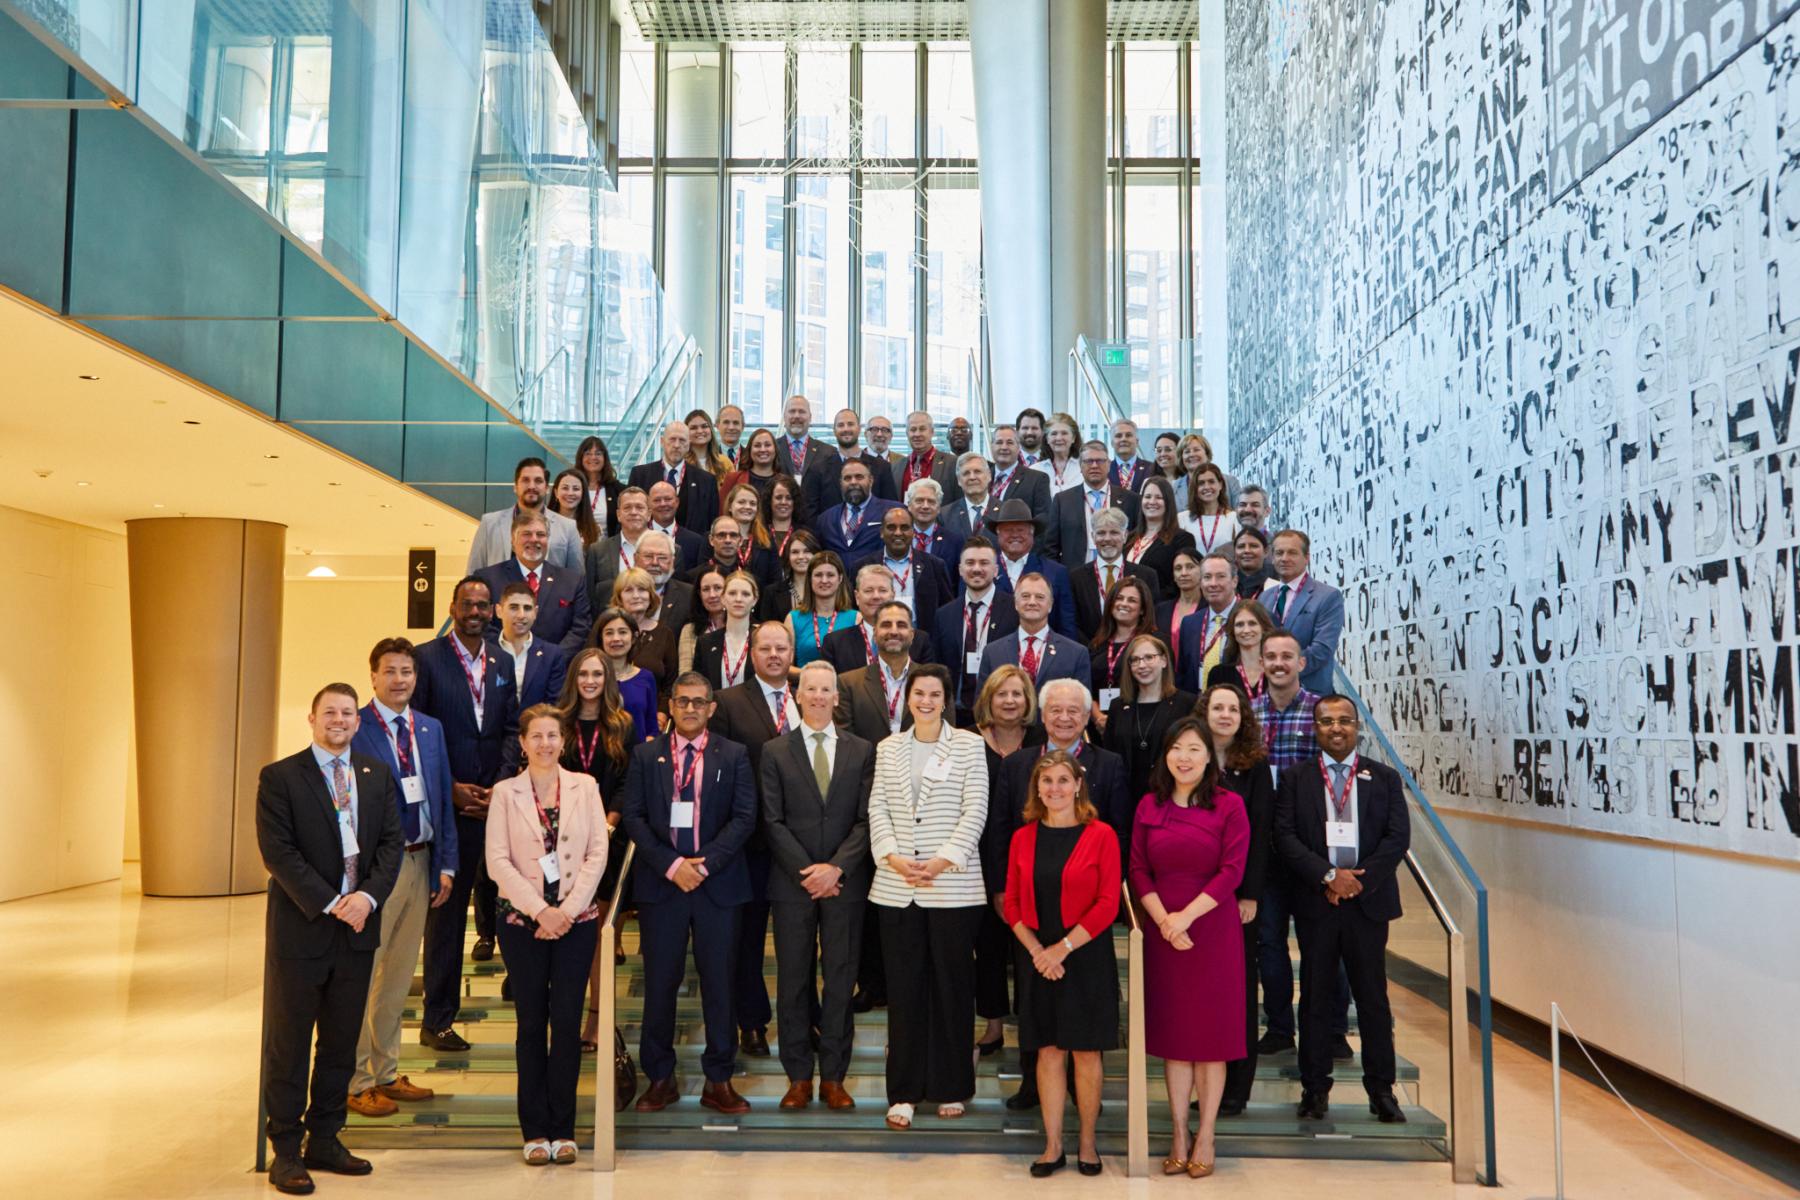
(411, 748)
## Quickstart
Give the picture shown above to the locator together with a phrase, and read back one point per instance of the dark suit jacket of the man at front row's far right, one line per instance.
(1383, 837)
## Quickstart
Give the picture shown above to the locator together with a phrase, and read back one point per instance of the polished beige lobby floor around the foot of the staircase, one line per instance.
(129, 1043)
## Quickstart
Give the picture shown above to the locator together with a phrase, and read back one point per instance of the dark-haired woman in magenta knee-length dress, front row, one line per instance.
(1187, 859)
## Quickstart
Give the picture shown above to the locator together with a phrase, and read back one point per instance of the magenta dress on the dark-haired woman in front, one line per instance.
(1192, 999)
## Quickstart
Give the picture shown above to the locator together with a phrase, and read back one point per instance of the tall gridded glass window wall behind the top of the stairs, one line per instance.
(849, 220)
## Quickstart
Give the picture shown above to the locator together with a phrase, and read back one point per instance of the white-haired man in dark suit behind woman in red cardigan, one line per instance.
(1066, 712)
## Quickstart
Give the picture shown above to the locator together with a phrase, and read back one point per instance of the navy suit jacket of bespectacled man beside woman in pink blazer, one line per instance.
(728, 818)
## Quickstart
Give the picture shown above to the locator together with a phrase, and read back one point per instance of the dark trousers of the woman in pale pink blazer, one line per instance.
(550, 987)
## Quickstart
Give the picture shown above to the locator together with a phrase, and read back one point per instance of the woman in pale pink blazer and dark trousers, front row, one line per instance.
(546, 854)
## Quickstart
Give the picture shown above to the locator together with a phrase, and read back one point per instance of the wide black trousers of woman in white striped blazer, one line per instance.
(931, 1003)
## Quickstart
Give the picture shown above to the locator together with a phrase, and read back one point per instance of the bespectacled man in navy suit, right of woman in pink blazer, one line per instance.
(690, 807)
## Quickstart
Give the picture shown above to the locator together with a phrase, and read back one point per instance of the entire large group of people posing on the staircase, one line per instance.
(930, 715)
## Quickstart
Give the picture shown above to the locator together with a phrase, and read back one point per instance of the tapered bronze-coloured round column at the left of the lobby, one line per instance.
(206, 665)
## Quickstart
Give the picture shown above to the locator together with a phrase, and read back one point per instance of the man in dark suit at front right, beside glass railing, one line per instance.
(1344, 832)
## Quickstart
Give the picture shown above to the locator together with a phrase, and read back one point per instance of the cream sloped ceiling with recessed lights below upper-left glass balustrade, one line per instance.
(145, 442)
